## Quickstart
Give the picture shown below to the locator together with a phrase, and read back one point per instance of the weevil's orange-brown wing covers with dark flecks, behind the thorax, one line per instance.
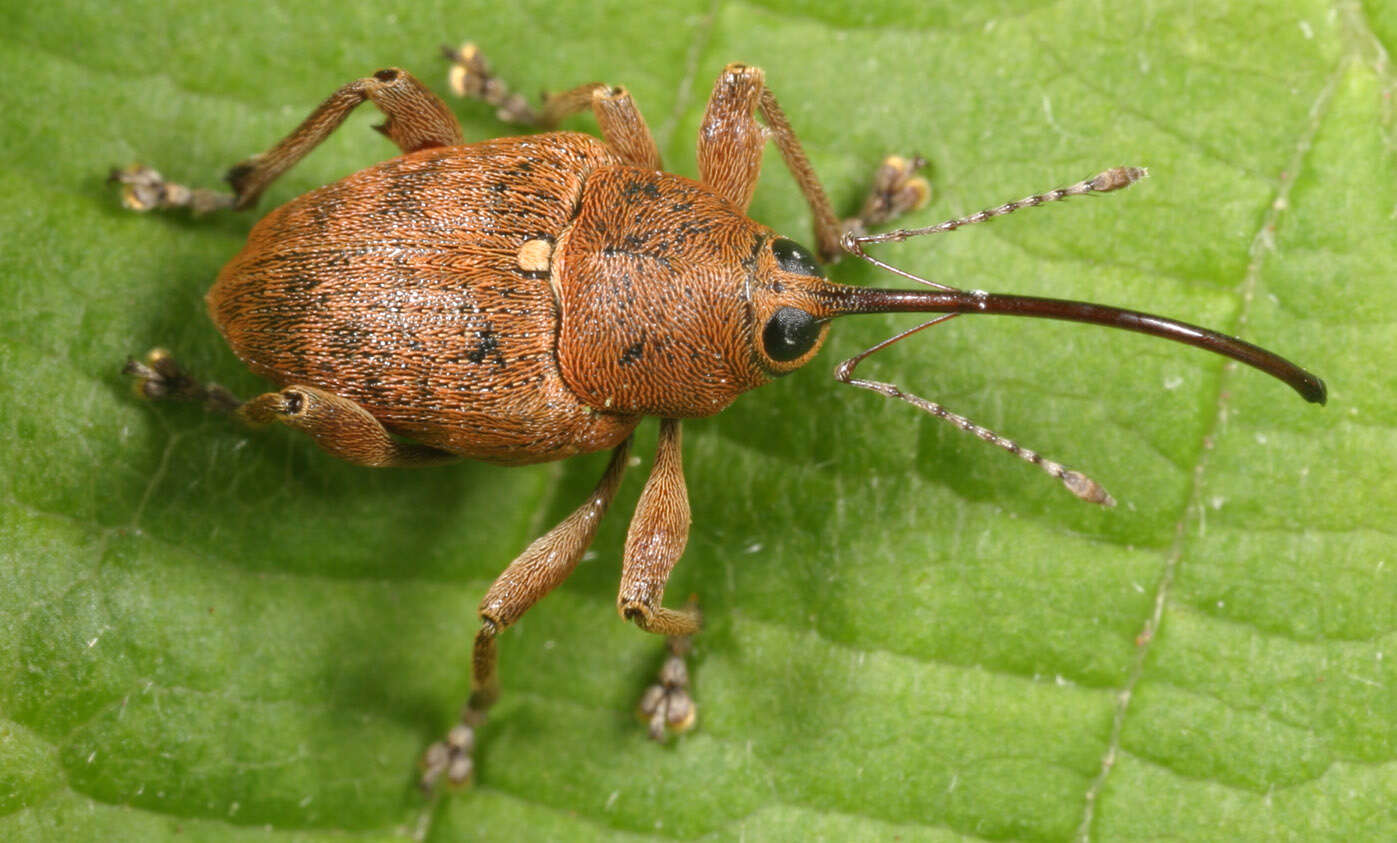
(402, 289)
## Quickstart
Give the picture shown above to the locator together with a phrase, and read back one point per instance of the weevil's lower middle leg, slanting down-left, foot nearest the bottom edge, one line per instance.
(534, 574)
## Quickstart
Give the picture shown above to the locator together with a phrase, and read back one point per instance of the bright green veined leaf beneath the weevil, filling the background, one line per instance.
(213, 634)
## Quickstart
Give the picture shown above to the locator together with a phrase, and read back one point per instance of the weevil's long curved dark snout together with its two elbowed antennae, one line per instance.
(951, 303)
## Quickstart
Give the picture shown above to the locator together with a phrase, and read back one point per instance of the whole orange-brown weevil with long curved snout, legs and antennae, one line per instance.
(532, 298)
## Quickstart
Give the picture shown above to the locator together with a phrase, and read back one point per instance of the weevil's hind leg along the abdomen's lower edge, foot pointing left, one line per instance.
(339, 426)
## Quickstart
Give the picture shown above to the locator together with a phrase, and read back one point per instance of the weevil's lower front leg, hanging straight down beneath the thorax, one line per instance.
(656, 540)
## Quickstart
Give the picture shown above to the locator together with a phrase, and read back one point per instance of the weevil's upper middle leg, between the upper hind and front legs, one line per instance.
(617, 114)
